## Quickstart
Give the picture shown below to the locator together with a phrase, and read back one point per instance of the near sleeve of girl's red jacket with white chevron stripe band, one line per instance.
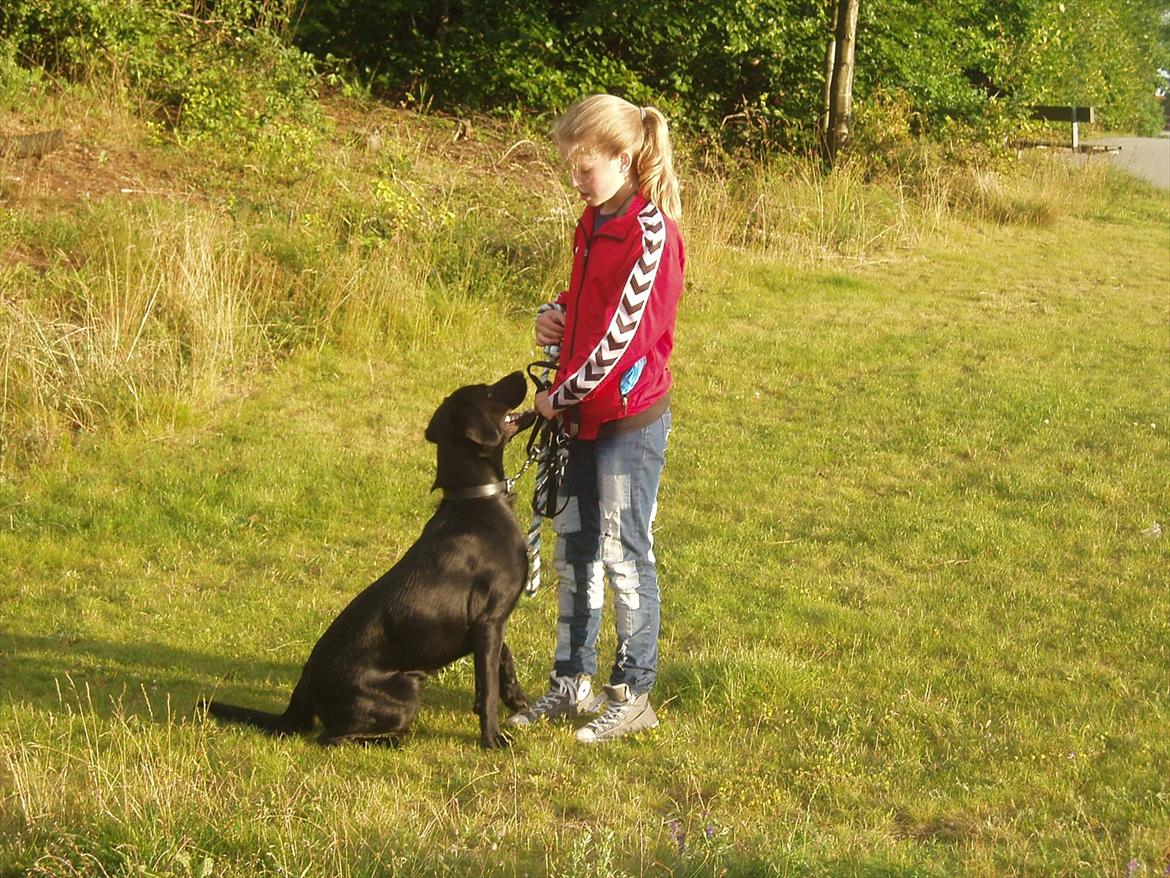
(638, 323)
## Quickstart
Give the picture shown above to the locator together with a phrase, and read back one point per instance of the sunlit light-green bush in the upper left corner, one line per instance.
(225, 73)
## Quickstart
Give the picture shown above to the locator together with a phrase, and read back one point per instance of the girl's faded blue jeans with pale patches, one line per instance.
(604, 536)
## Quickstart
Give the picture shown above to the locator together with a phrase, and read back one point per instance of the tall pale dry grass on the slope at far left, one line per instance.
(168, 305)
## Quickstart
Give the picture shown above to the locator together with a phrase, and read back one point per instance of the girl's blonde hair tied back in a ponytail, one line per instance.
(609, 126)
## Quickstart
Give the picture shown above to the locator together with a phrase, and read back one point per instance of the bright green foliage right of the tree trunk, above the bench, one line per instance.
(974, 68)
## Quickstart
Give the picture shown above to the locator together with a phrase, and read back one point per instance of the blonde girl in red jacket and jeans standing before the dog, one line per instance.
(616, 330)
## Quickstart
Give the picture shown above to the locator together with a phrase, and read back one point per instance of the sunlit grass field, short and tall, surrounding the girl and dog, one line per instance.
(912, 593)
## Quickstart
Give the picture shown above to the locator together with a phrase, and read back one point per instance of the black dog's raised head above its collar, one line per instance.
(483, 415)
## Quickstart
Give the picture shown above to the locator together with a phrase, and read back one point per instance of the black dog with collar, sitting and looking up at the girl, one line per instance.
(450, 595)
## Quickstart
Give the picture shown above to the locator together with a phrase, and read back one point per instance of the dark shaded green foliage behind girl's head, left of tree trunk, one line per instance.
(744, 67)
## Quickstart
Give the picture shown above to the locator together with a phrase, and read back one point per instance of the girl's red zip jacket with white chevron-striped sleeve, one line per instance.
(620, 308)
